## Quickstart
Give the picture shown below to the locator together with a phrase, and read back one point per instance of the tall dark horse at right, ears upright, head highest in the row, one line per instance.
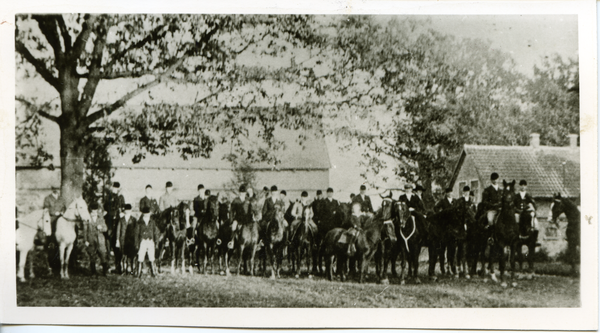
(505, 233)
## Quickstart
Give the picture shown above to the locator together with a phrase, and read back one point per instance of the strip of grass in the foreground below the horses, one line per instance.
(167, 290)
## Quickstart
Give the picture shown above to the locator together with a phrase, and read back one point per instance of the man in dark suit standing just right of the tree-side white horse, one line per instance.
(93, 236)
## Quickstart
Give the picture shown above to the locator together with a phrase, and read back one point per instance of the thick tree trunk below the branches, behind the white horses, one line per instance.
(72, 152)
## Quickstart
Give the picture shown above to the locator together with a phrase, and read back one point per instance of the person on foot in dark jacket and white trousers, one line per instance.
(146, 236)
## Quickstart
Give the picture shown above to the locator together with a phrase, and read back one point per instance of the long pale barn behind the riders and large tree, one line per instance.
(301, 167)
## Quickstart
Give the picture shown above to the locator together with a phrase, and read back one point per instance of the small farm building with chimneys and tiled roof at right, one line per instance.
(548, 170)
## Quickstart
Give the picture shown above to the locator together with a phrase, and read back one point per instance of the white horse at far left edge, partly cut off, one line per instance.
(29, 226)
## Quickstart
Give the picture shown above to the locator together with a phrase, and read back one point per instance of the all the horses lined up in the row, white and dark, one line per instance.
(391, 233)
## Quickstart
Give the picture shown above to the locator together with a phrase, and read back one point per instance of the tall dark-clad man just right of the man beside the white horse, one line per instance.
(114, 207)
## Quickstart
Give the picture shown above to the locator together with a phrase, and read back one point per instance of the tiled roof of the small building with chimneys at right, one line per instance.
(547, 169)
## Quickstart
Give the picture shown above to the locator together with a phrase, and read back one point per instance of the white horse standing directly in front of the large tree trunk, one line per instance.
(65, 234)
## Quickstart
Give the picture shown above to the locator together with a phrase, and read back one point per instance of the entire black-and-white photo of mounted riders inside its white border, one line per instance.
(251, 160)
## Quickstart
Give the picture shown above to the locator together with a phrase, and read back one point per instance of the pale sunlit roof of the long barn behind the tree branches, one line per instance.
(311, 155)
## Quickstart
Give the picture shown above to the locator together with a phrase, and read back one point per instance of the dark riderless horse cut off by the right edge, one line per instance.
(559, 206)
